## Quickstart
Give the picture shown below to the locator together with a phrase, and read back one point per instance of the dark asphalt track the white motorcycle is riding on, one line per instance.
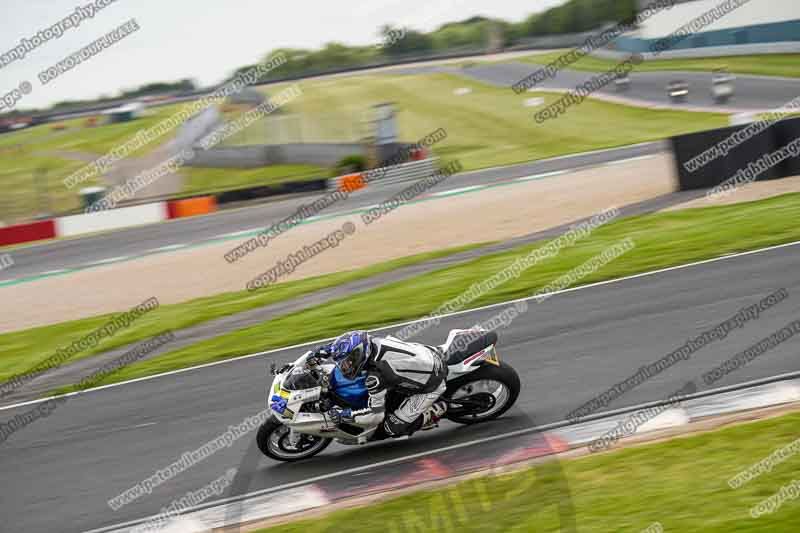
(62, 470)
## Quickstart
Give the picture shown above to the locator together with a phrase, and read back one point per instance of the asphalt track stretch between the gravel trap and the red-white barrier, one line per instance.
(133, 242)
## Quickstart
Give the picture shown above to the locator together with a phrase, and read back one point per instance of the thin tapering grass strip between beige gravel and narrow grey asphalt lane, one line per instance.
(21, 350)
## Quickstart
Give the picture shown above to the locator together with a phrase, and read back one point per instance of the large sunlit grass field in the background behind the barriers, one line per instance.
(489, 126)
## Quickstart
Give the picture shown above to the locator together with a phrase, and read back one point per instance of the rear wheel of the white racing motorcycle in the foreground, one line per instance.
(494, 388)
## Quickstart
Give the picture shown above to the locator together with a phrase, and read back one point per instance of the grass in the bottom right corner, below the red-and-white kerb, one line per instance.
(681, 484)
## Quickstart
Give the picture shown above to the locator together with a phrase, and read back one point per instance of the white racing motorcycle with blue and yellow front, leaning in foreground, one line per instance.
(480, 387)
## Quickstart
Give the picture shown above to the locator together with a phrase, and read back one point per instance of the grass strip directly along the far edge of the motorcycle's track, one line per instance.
(662, 240)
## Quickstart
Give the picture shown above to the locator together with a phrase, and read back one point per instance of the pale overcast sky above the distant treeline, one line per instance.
(206, 39)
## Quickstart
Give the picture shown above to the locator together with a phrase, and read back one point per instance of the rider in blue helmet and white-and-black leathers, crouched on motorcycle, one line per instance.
(415, 371)
